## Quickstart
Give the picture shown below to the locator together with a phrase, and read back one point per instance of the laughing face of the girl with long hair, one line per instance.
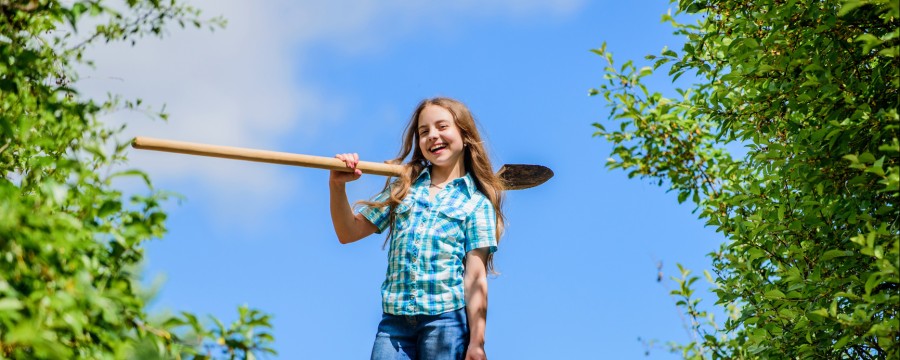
(439, 137)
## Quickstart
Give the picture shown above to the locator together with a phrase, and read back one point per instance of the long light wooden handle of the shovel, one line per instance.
(274, 157)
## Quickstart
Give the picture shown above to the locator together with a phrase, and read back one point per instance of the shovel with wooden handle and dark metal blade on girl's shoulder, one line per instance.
(514, 176)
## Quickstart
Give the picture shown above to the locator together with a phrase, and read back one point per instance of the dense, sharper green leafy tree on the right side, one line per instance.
(809, 267)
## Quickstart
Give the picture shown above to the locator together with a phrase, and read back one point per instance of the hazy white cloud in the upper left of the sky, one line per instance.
(240, 85)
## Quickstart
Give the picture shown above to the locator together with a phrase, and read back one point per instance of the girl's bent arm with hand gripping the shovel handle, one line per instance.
(347, 226)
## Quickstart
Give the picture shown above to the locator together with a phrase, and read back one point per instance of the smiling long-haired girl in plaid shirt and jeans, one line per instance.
(444, 221)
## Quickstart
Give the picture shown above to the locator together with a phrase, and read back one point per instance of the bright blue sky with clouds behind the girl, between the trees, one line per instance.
(578, 260)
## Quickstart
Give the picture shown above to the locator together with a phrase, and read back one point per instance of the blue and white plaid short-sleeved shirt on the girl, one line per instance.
(429, 242)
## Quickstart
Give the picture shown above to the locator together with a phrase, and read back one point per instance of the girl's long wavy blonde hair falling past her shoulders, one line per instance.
(477, 163)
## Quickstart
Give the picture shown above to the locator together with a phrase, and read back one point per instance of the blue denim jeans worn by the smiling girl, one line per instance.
(425, 337)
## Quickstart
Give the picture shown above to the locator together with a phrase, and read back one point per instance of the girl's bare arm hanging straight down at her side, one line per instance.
(475, 283)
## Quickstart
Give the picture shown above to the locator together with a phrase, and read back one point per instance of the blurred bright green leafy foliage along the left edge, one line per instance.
(70, 242)
